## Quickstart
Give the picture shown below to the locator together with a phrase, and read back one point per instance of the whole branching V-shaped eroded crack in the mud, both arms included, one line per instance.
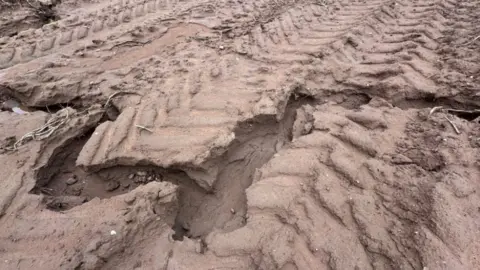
(66, 185)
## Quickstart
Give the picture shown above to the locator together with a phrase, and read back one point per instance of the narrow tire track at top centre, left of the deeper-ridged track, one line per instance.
(303, 31)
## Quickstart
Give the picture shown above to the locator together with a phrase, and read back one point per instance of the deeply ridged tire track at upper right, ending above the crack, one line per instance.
(393, 54)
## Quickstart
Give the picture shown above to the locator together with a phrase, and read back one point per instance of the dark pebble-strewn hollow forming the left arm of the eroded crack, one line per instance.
(64, 185)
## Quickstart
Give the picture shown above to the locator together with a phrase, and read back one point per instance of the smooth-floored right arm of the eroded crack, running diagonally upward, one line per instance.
(256, 141)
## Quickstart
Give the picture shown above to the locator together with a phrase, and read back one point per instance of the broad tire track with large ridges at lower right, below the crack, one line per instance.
(384, 209)
